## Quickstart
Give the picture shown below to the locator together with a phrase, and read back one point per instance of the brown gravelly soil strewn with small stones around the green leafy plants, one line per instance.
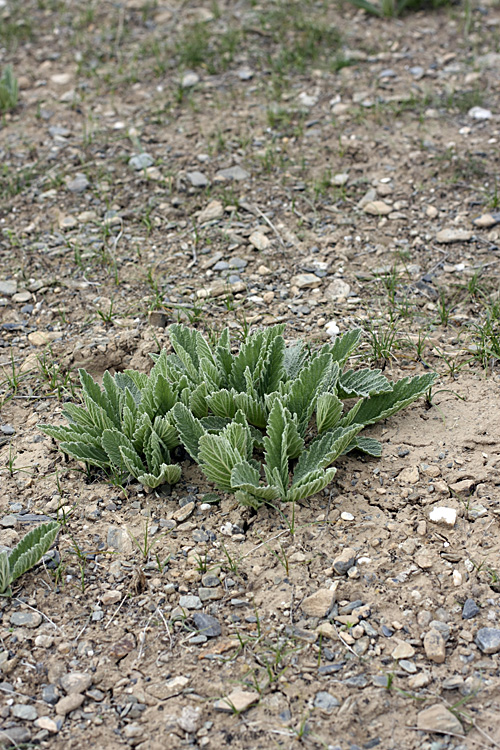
(363, 158)
